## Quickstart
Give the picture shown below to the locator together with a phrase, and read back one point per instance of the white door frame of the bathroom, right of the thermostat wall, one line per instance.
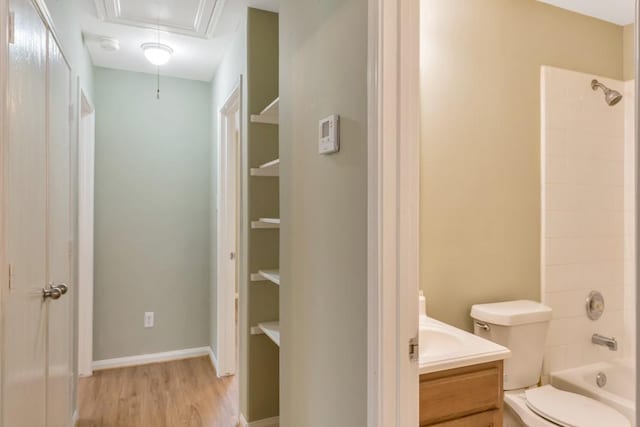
(393, 222)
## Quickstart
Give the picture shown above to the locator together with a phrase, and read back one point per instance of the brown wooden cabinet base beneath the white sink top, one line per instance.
(463, 397)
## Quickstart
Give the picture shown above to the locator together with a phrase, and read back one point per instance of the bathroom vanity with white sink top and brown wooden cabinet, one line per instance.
(461, 377)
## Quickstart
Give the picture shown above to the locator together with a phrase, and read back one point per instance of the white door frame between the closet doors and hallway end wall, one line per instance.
(86, 191)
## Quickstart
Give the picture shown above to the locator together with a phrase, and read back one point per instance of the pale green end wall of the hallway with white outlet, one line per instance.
(151, 213)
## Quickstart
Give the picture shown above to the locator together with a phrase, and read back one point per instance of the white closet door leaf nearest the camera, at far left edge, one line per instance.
(24, 386)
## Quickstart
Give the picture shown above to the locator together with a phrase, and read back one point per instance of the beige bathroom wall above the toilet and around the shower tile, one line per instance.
(480, 207)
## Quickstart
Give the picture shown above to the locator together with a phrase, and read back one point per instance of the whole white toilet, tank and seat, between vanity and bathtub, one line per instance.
(521, 326)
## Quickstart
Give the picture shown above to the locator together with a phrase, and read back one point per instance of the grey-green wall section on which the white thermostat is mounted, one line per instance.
(323, 205)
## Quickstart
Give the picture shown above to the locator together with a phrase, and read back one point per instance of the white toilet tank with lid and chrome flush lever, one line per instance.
(521, 326)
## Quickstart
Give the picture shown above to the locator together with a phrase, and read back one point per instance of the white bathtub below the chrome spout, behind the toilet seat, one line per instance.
(618, 392)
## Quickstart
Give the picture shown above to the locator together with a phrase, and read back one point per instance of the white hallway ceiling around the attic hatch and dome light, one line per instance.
(198, 31)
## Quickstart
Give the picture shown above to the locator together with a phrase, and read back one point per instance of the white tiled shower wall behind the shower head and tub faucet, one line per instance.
(583, 215)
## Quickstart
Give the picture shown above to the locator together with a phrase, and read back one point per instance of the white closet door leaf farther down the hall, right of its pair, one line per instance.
(59, 240)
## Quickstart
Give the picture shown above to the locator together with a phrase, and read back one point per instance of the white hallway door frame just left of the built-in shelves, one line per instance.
(226, 323)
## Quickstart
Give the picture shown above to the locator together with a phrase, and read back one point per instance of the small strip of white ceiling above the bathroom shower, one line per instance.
(621, 12)
